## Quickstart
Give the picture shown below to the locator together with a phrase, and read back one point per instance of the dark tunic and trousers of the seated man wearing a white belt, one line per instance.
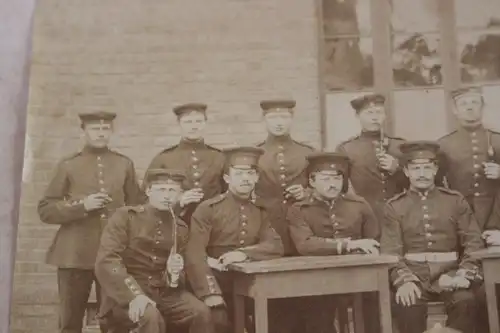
(439, 221)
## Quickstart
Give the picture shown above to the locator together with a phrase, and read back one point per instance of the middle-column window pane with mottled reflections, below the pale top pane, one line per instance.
(416, 61)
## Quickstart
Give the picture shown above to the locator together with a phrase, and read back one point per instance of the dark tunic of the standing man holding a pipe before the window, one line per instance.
(368, 180)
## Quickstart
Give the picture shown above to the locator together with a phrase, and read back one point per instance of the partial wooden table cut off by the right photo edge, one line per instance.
(491, 270)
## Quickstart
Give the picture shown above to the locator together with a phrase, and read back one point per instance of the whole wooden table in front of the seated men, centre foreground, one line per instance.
(310, 276)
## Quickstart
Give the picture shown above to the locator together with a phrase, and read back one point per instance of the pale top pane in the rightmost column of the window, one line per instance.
(477, 13)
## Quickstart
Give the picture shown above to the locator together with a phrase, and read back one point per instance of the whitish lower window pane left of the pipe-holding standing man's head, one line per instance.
(341, 121)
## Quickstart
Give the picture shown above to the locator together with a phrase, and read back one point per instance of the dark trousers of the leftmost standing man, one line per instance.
(74, 289)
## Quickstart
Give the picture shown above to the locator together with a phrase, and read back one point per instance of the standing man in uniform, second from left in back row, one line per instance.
(204, 163)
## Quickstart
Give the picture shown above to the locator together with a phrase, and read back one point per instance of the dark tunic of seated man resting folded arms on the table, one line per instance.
(315, 225)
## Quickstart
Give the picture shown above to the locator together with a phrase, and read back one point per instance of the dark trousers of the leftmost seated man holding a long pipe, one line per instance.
(175, 312)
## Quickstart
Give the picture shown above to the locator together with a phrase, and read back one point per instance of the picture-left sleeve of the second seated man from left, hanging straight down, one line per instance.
(199, 274)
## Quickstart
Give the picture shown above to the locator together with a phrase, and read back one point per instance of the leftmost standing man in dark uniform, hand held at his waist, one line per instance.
(86, 188)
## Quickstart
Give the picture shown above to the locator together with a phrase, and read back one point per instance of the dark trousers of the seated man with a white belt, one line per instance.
(461, 309)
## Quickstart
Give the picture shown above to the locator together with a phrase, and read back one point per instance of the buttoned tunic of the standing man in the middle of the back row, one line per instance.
(283, 164)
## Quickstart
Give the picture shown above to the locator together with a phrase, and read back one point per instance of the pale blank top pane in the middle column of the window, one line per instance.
(414, 16)
